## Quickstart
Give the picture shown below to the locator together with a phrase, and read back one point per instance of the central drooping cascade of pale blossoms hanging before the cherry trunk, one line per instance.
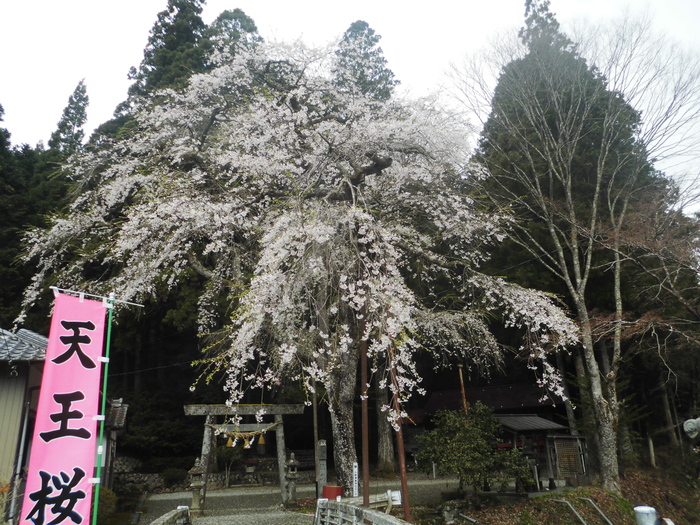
(328, 276)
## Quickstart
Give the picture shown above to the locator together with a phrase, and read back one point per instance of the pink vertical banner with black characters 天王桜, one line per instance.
(59, 481)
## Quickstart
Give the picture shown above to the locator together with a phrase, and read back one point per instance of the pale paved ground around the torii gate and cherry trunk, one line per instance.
(263, 505)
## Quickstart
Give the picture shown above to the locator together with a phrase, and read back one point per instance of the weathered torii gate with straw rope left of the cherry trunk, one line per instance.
(212, 411)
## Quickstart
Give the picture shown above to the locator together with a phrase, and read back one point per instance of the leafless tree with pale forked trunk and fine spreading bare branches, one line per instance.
(570, 135)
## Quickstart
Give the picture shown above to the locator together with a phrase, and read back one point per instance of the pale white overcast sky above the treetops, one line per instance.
(48, 46)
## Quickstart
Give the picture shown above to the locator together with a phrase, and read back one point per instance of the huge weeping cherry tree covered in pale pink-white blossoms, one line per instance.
(324, 218)
